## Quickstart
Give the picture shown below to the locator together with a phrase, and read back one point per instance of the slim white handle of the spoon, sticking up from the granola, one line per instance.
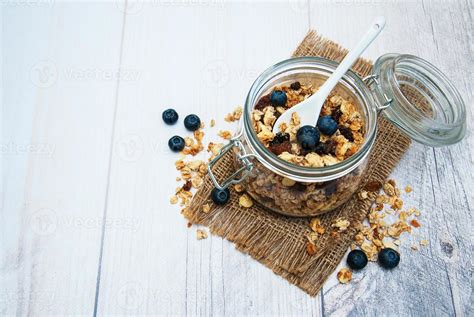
(376, 27)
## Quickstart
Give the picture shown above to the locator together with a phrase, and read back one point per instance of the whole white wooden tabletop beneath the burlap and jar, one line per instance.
(87, 227)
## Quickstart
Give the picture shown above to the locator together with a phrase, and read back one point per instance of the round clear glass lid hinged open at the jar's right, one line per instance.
(419, 99)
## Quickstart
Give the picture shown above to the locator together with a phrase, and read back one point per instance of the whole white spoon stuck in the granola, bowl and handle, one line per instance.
(309, 109)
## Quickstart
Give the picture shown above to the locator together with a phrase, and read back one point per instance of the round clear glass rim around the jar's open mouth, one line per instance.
(302, 173)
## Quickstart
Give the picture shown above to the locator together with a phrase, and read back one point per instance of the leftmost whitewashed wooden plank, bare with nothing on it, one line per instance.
(59, 60)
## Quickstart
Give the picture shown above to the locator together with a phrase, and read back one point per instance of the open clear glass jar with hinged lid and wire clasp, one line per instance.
(437, 118)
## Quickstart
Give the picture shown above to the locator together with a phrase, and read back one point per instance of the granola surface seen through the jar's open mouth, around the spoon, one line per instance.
(332, 149)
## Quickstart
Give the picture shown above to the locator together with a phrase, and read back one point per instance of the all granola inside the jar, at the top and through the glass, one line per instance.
(285, 195)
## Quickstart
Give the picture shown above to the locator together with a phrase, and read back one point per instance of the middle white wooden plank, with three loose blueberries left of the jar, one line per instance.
(200, 59)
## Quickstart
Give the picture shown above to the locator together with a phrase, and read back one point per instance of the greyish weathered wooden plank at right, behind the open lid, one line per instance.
(433, 281)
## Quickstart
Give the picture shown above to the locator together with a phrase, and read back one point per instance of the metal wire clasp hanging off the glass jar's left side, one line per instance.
(242, 156)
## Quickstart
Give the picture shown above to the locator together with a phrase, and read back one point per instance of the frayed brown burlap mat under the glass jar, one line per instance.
(279, 242)
